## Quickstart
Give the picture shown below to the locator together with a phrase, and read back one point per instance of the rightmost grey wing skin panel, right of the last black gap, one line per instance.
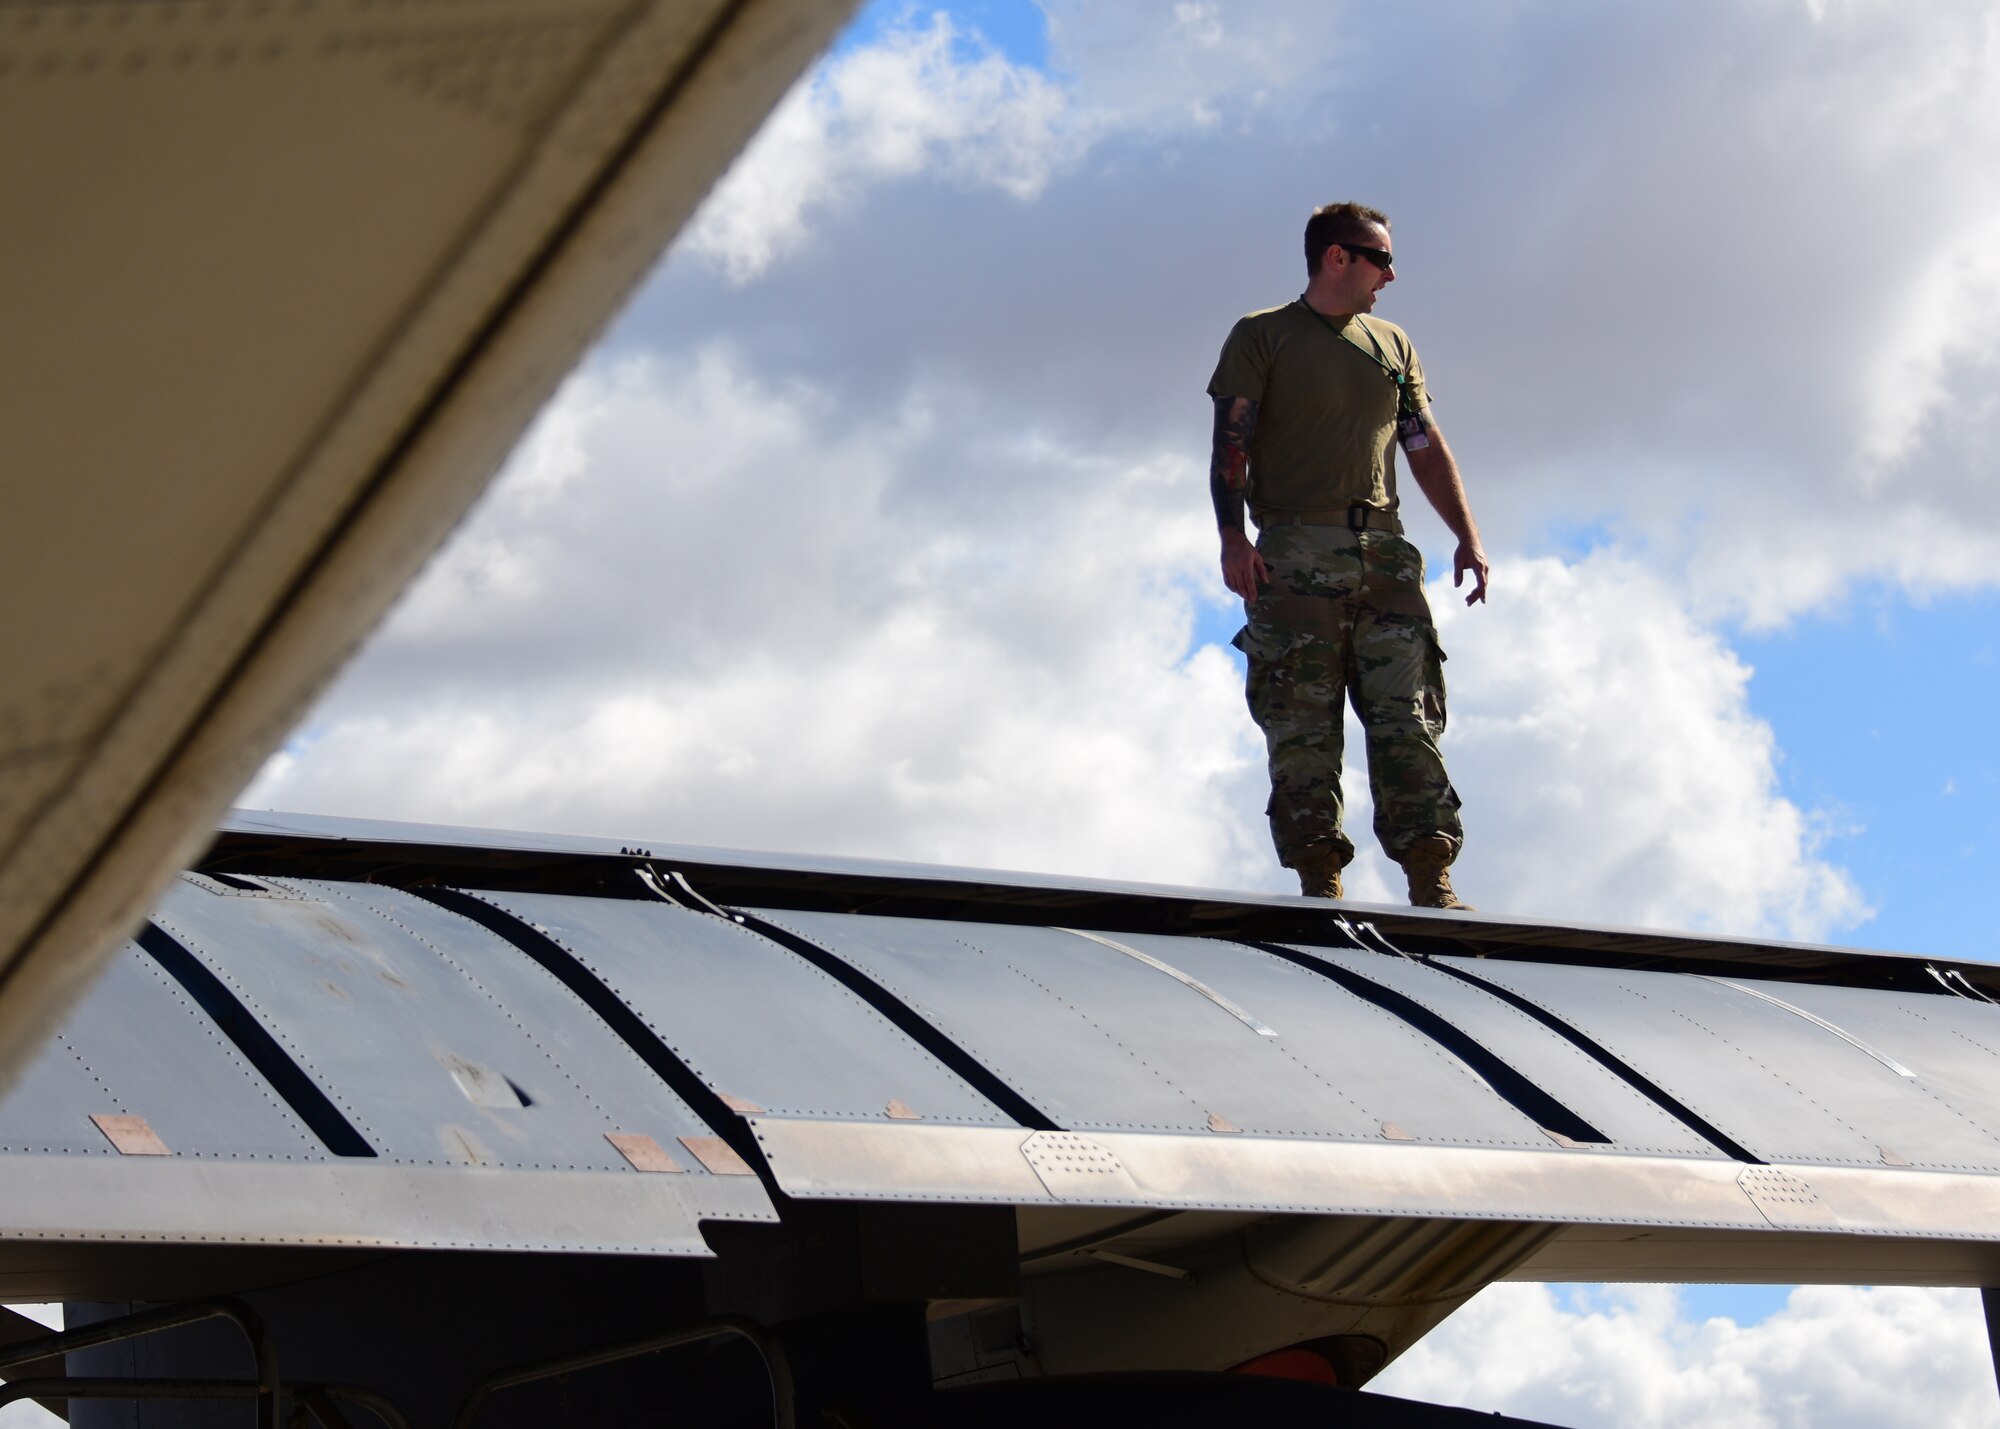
(1781, 1086)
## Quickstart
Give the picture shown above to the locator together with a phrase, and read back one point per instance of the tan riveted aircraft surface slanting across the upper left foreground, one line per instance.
(285, 281)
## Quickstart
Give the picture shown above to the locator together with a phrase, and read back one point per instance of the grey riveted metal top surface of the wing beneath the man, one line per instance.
(385, 1002)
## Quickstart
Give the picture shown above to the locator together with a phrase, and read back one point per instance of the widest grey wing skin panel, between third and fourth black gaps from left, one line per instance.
(1105, 1042)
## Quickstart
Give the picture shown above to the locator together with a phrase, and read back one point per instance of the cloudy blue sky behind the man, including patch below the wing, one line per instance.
(879, 521)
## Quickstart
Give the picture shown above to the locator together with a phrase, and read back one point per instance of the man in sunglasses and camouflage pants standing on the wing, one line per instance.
(1311, 403)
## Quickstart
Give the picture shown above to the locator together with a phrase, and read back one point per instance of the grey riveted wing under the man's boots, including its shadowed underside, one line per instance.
(1149, 1128)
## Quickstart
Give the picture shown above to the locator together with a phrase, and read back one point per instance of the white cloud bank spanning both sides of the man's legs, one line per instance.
(709, 609)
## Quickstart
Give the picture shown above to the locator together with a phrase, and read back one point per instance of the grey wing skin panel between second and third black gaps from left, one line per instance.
(755, 1022)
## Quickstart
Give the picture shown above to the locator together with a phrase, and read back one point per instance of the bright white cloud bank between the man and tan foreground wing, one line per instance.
(777, 645)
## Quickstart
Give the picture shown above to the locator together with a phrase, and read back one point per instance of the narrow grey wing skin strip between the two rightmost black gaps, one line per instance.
(1551, 1062)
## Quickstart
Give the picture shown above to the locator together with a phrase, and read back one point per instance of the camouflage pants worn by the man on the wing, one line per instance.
(1345, 617)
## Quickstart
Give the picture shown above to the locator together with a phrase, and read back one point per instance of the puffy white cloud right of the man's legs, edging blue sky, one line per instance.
(1615, 768)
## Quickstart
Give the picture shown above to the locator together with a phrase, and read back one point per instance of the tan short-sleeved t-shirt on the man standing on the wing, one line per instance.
(1327, 411)
